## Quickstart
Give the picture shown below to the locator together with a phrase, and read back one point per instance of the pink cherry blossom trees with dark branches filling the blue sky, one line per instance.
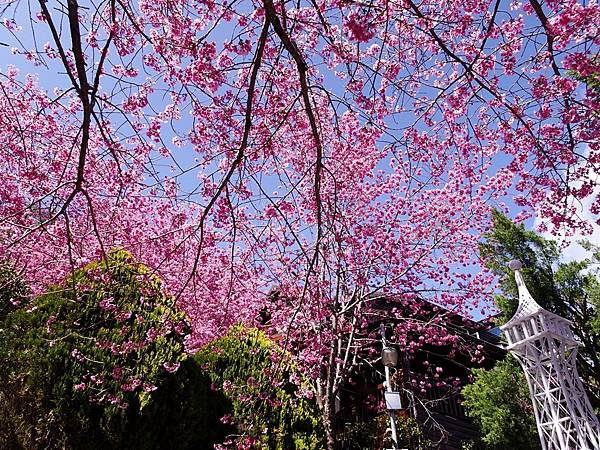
(336, 151)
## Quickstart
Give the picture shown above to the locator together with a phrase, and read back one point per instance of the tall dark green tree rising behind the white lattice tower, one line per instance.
(570, 289)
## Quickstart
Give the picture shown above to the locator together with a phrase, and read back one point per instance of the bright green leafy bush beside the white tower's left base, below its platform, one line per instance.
(499, 403)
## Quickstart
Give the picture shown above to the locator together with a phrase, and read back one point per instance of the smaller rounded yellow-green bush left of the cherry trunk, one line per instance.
(270, 400)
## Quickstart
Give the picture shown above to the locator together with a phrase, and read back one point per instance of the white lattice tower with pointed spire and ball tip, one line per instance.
(546, 348)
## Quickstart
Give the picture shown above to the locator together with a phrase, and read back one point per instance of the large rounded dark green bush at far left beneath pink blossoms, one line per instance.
(80, 363)
